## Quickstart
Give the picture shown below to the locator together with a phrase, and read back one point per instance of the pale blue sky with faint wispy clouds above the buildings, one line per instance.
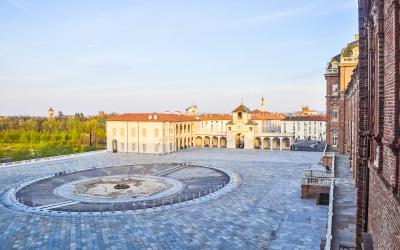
(164, 55)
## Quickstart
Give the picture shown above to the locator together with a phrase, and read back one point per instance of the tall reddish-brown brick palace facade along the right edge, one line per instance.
(368, 123)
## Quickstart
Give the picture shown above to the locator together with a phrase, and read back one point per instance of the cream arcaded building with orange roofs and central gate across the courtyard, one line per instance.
(162, 133)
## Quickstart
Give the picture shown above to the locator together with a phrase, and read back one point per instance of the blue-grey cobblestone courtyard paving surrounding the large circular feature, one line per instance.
(264, 212)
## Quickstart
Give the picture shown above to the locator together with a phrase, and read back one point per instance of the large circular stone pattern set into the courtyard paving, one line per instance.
(118, 188)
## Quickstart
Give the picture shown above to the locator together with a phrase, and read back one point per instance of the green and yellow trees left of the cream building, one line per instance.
(27, 138)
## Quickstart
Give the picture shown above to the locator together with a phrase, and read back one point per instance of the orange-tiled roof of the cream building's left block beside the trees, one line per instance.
(152, 117)
